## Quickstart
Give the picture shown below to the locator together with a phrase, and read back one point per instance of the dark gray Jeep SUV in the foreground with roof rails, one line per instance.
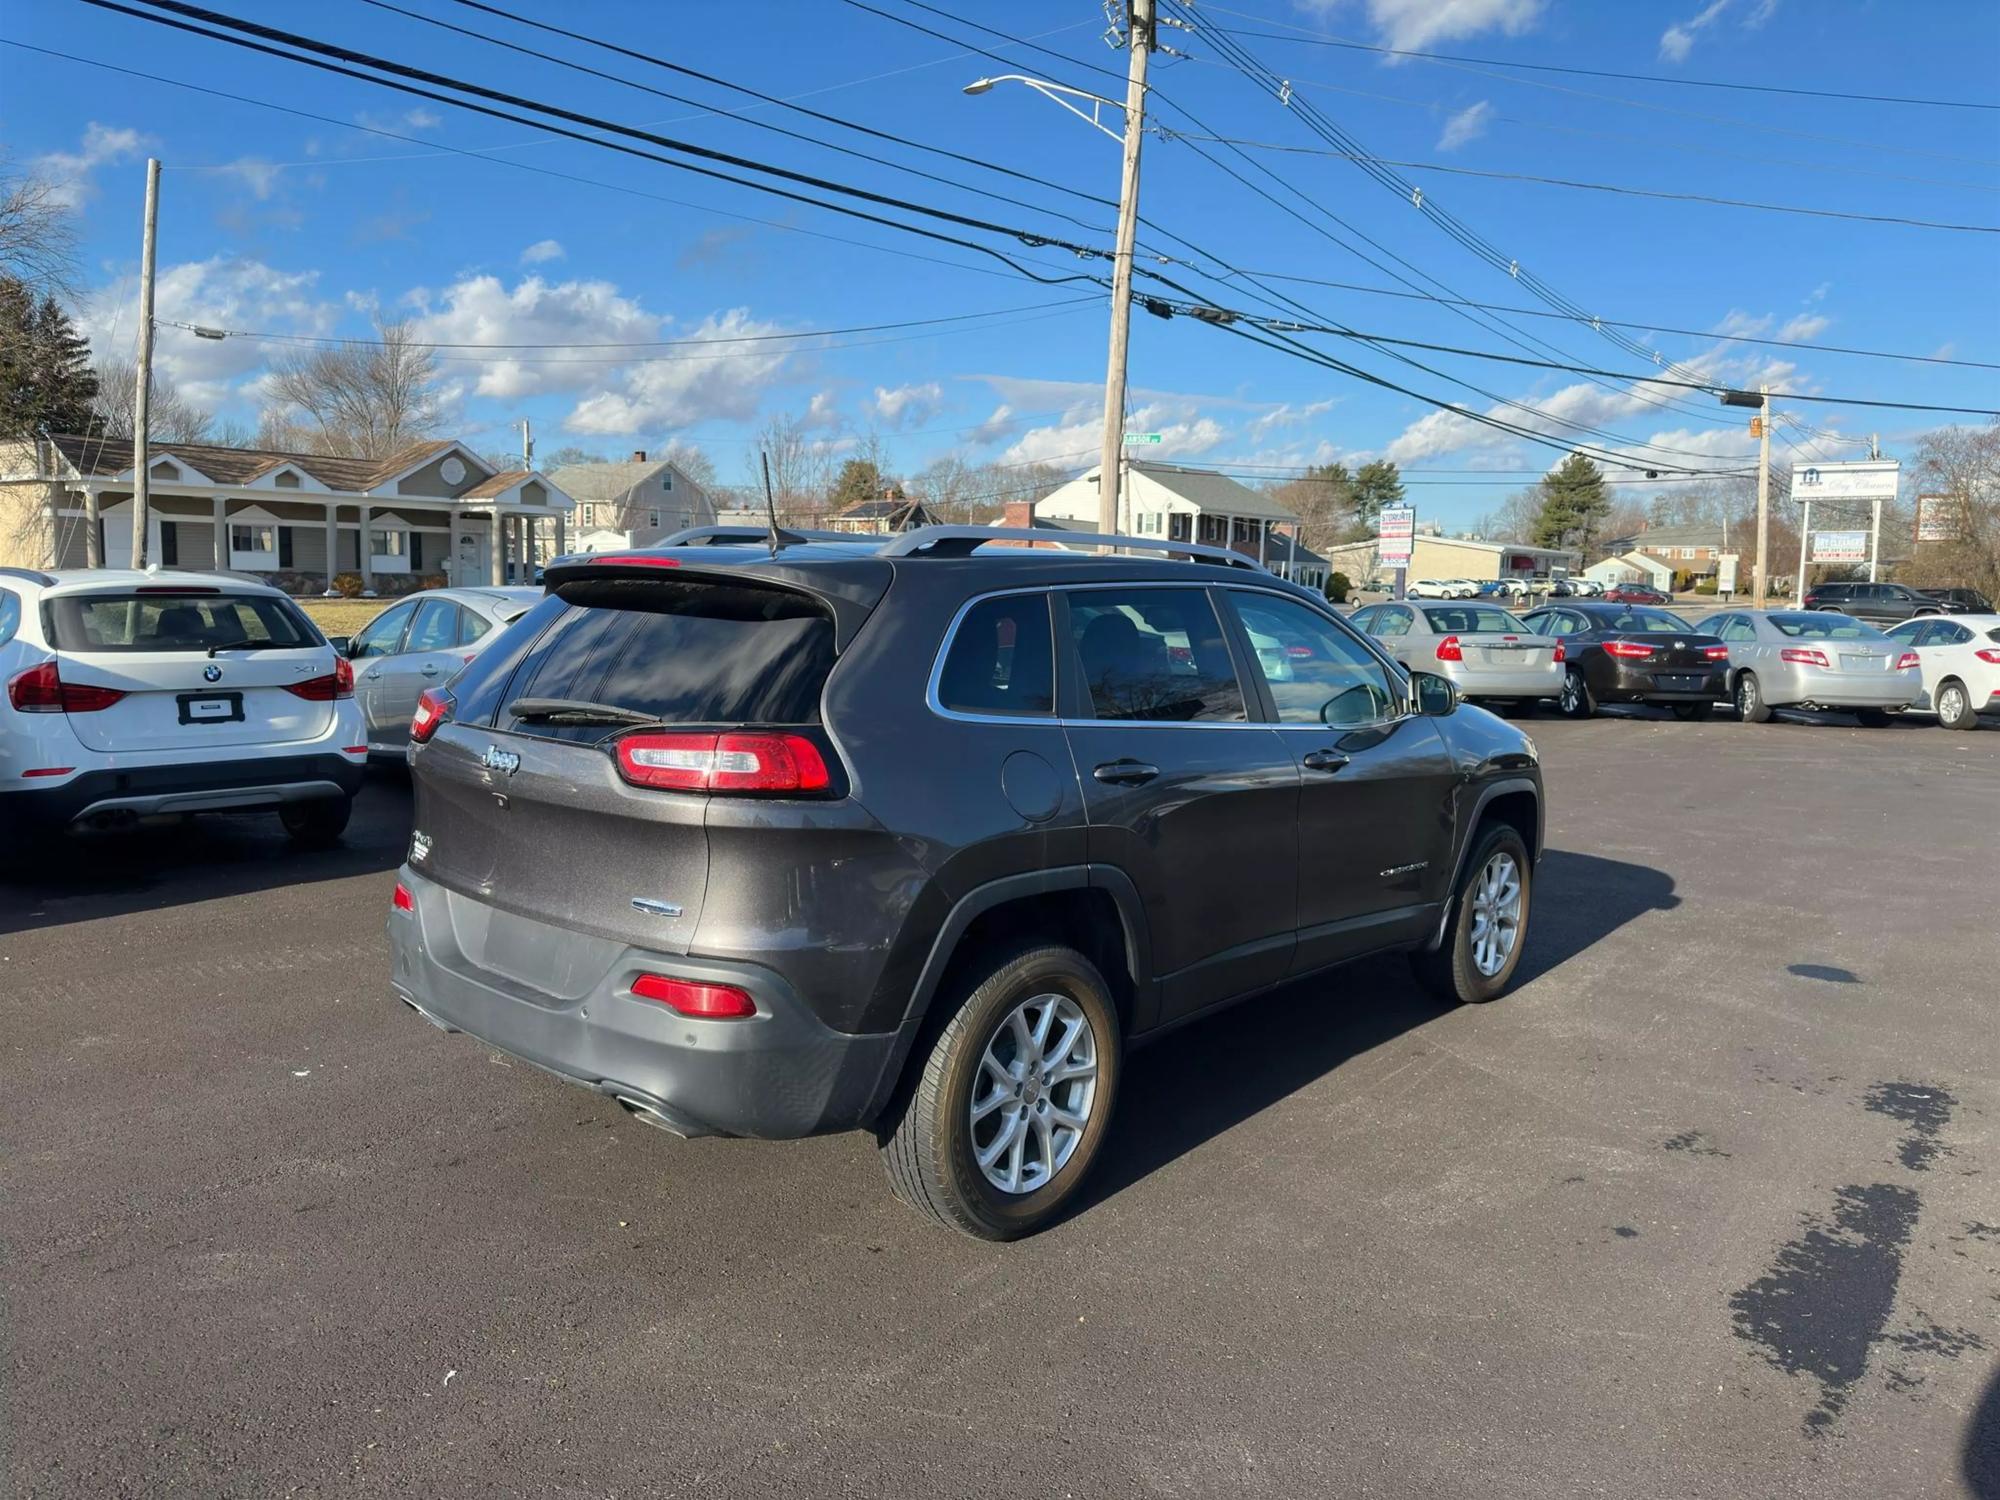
(921, 835)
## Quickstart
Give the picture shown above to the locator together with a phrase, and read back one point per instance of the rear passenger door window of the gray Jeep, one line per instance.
(1155, 655)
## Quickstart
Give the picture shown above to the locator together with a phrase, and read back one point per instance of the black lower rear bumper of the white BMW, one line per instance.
(217, 787)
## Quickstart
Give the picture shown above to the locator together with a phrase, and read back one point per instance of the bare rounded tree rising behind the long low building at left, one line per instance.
(357, 399)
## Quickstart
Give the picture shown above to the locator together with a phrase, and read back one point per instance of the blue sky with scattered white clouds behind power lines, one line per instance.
(285, 225)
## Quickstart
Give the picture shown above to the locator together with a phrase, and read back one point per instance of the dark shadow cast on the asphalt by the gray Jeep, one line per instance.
(1213, 1075)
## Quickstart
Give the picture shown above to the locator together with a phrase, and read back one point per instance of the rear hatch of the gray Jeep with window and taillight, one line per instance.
(573, 775)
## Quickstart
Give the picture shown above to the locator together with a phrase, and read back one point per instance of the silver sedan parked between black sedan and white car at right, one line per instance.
(1799, 659)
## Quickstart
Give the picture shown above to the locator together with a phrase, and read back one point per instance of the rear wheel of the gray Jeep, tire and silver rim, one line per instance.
(933, 1151)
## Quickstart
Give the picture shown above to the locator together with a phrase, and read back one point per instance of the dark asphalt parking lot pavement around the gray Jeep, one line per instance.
(1705, 1209)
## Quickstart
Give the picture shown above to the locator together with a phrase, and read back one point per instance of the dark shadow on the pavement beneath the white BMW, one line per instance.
(85, 877)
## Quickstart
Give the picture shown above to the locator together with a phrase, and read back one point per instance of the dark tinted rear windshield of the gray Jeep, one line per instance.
(681, 653)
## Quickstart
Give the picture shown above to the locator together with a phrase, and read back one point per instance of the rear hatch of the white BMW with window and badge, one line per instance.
(183, 667)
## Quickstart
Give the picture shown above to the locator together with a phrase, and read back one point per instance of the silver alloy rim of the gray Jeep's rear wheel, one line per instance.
(1033, 1097)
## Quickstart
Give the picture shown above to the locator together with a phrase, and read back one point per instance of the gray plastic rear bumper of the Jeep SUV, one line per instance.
(777, 1075)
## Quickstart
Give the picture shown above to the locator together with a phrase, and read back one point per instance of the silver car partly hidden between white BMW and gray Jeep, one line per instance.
(419, 643)
